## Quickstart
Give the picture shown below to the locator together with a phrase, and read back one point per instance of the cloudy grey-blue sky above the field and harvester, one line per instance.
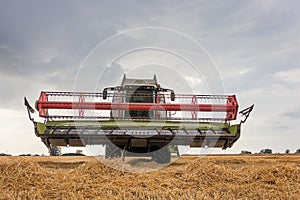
(250, 49)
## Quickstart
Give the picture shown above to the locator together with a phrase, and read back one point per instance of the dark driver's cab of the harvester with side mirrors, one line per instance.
(146, 91)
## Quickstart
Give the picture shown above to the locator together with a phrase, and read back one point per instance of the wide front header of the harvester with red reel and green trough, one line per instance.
(88, 130)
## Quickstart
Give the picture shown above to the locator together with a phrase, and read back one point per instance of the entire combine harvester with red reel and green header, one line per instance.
(138, 116)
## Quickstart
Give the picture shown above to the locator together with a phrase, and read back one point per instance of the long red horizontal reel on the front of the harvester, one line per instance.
(230, 108)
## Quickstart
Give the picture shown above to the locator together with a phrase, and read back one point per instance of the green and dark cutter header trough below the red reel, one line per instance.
(86, 132)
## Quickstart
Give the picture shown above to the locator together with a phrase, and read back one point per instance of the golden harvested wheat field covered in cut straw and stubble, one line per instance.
(209, 177)
